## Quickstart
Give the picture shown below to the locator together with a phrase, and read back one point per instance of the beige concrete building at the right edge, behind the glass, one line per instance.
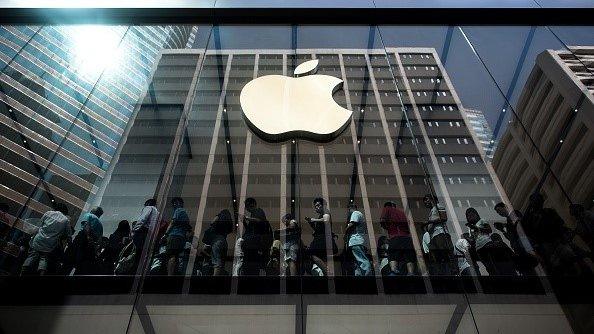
(556, 109)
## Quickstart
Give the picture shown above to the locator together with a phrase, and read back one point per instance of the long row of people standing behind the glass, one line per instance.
(514, 247)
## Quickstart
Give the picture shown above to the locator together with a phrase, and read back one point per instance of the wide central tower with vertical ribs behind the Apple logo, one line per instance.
(189, 139)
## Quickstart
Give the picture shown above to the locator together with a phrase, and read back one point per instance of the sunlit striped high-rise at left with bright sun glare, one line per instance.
(68, 94)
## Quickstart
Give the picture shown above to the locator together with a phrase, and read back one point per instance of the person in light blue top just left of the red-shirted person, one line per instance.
(356, 241)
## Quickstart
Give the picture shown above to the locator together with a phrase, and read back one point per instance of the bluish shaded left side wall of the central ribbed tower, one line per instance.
(141, 162)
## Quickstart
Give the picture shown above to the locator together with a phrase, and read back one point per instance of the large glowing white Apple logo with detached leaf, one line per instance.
(279, 108)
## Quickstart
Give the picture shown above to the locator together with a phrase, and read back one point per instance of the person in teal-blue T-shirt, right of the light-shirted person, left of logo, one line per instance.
(177, 234)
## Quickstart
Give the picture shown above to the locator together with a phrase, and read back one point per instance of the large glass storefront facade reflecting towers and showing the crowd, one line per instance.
(458, 198)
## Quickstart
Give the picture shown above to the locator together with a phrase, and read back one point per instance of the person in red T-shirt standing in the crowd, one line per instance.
(401, 250)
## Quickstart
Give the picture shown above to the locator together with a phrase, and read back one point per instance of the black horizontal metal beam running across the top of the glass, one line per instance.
(206, 15)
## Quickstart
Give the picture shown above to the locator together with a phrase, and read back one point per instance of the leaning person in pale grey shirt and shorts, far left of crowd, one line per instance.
(54, 228)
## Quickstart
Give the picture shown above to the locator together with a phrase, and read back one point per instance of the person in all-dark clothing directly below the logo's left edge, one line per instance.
(257, 238)
